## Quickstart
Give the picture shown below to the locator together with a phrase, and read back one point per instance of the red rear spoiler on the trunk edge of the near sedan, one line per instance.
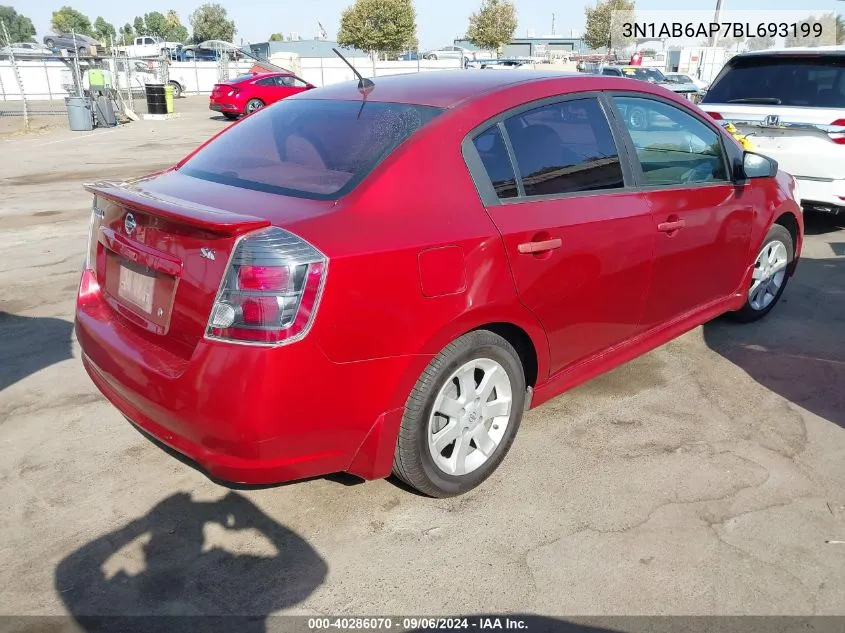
(196, 215)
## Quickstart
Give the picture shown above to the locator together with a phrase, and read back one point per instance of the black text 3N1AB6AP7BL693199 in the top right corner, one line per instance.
(739, 30)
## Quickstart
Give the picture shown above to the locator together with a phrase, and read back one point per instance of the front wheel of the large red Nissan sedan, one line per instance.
(773, 261)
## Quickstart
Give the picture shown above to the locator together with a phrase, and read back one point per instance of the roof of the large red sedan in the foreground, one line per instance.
(442, 89)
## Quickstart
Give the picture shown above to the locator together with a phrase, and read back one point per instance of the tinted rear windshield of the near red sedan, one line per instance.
(308, 148)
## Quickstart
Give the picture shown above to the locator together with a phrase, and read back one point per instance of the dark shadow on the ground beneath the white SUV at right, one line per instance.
(797, 350)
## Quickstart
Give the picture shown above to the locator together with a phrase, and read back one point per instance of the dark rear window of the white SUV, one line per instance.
(817, 82)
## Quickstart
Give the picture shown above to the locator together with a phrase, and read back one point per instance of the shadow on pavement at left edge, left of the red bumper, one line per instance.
(30, 344)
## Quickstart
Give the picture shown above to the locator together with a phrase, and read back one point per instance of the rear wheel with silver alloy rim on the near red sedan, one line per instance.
(432, 466)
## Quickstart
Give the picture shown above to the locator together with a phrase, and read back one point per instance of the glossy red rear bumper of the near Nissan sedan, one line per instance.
(247, 414)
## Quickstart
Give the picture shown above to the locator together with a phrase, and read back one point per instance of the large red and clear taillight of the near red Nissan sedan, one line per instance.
(270, 290)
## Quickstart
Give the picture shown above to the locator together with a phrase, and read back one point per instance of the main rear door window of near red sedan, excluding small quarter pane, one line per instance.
(565, 148)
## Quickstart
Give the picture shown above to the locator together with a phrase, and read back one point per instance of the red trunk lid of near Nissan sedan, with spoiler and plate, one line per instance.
(163, 245)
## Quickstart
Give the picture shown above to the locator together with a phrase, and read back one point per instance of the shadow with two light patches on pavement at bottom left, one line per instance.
(178, 560)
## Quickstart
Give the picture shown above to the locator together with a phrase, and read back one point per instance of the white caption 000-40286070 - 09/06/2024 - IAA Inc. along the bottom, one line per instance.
(417, 623)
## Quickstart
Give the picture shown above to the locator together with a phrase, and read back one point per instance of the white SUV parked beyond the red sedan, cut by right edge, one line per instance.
(791, 104)
